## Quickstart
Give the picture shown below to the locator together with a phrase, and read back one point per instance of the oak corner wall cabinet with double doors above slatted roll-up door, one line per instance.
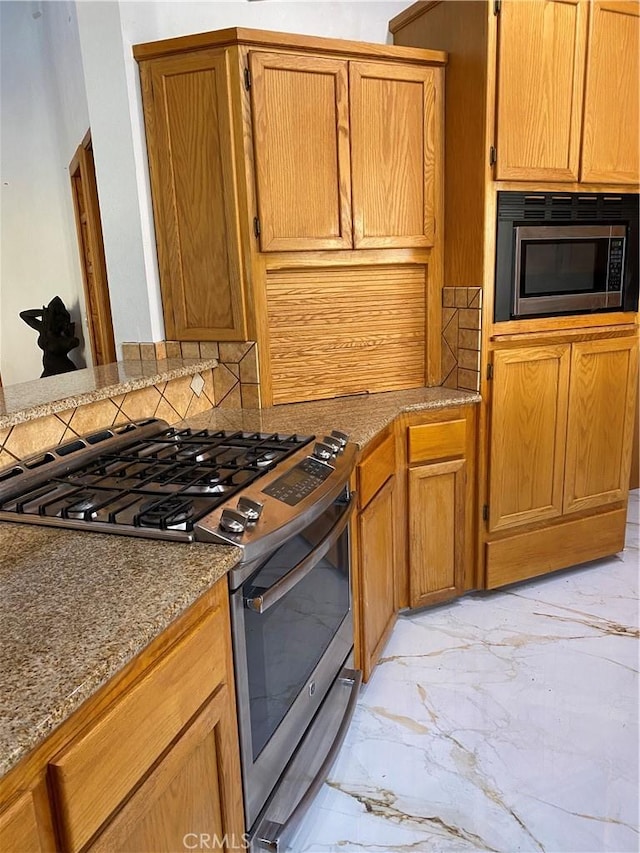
(297, 188)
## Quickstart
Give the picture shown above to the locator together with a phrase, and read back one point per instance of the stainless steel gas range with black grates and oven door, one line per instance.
(284, 500)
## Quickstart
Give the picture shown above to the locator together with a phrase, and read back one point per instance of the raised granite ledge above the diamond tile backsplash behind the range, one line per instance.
(154, 372)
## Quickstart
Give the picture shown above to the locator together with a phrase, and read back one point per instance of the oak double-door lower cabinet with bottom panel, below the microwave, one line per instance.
(560, 446)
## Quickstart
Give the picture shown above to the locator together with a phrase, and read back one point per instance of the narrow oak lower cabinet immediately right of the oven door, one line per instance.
(375, 553)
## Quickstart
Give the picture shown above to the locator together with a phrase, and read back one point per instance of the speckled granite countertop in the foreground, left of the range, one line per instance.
(76, 608)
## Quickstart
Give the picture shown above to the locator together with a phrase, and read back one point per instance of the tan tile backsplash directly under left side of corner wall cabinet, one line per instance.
(236, 380)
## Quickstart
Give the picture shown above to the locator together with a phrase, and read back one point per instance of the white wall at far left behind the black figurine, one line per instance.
(44, 118)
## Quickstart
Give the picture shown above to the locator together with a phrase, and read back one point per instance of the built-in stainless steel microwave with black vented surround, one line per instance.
(565, 253)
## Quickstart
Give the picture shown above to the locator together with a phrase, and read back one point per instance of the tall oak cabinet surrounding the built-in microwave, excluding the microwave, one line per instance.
(542, 96)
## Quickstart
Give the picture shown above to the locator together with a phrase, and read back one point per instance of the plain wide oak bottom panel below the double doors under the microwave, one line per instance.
(569, 543)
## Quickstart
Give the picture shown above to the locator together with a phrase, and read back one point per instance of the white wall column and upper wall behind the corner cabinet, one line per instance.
(107, 32)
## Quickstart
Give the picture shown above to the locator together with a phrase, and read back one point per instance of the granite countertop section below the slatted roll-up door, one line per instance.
(361, 416)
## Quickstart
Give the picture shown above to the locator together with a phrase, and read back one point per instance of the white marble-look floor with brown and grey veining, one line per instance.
(505, 721)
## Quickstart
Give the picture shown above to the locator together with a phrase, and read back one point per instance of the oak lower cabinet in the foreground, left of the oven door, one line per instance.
(150, 763)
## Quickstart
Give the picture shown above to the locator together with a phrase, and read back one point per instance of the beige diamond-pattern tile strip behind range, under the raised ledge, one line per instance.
(172, 401)
